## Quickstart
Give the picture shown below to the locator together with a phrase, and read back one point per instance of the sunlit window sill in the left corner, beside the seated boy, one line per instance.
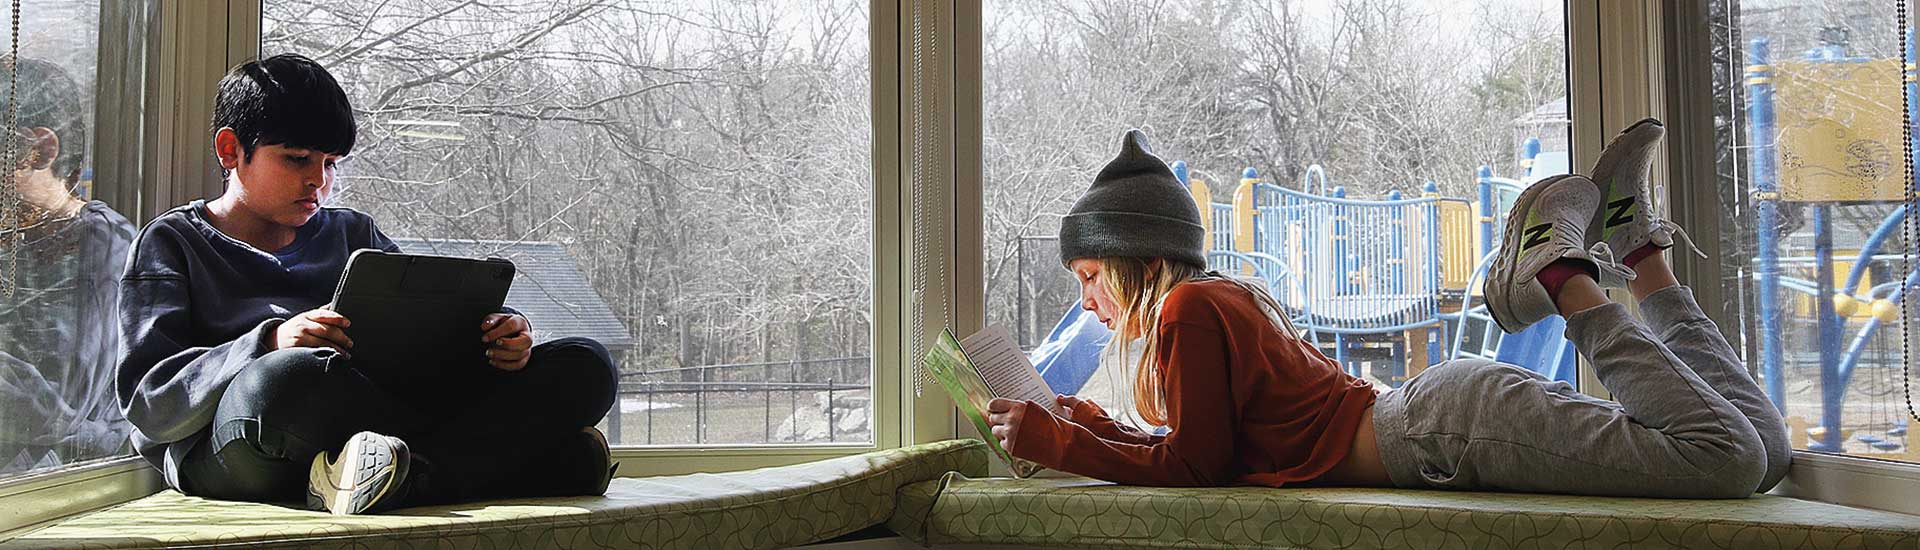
(34, 501)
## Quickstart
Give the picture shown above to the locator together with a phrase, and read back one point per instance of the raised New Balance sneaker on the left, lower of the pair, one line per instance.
(1547, 224)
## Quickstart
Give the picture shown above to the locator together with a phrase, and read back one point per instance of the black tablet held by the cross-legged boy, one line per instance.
(416, 318)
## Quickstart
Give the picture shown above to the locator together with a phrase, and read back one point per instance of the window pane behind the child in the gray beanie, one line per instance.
(1270, 109)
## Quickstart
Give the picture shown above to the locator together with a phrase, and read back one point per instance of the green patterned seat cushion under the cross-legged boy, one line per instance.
(763, 509)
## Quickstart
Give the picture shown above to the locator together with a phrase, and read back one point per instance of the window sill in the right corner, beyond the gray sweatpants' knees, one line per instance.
(1854, 482)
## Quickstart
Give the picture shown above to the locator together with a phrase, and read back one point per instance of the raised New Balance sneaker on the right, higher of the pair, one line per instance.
(1625, 218)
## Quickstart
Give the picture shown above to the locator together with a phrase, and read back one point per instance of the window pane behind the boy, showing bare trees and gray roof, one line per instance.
(684, 182)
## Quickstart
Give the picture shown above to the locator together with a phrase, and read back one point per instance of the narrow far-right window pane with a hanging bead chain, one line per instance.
(1817, 247)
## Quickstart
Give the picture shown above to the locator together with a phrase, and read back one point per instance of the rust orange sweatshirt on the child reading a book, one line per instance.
(1247, 405)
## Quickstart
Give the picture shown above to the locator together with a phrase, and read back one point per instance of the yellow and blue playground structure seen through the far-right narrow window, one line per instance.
(1827, 137)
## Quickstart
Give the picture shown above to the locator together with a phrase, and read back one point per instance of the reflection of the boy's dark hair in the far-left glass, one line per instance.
(51, 99)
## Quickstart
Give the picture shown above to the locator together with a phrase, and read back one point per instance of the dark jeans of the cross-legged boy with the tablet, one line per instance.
(491, 436)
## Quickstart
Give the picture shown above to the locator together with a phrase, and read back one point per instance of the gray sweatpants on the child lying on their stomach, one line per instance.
(1689, 422)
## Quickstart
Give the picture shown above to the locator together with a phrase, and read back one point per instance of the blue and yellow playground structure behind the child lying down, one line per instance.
(1389, 282)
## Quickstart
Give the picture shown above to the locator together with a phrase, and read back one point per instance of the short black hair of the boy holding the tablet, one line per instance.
(285, 101)
